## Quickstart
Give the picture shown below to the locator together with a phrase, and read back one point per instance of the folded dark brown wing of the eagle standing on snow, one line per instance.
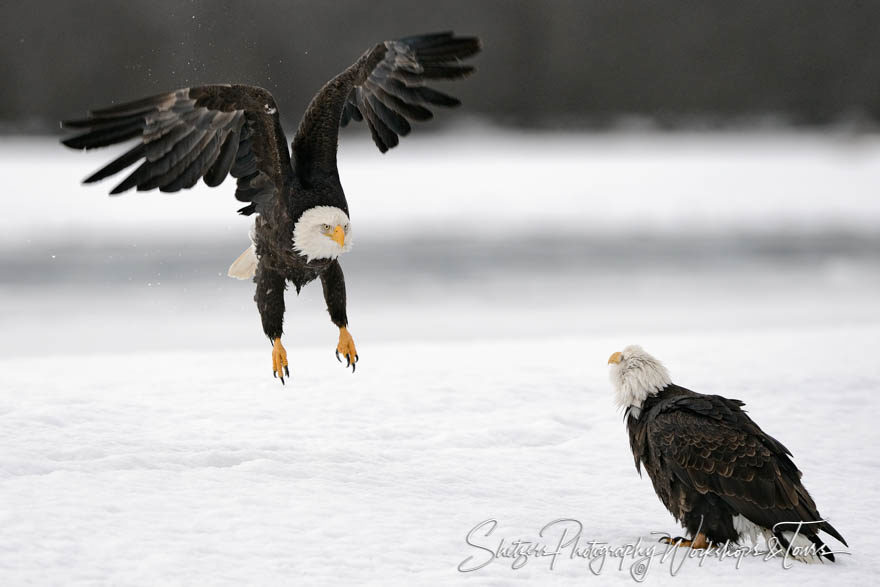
(711, 445)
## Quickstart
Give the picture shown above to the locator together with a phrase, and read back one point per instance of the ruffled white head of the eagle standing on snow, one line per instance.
(635, 375)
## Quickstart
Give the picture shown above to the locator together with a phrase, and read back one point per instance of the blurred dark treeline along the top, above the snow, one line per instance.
(556, 63)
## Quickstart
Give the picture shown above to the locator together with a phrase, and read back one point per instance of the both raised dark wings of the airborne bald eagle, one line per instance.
(209, 132)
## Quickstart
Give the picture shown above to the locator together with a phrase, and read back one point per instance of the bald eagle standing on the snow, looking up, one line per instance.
(713, 468)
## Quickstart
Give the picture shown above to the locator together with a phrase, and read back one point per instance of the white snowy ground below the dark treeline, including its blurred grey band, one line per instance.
(143, 440)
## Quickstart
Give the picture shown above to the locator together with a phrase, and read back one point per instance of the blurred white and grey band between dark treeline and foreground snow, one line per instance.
(477, 232)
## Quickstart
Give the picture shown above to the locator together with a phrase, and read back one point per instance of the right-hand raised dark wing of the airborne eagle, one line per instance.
(386, 87)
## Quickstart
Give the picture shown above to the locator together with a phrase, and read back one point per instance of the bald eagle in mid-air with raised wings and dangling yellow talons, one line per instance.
(302, 224)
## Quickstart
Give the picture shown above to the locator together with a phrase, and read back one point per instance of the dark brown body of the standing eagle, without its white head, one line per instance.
(708, 462)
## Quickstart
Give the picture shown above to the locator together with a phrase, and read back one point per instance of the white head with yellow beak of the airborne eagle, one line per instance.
(322, 232)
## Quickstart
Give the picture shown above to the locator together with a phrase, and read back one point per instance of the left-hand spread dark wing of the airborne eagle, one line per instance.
(205, 132)
